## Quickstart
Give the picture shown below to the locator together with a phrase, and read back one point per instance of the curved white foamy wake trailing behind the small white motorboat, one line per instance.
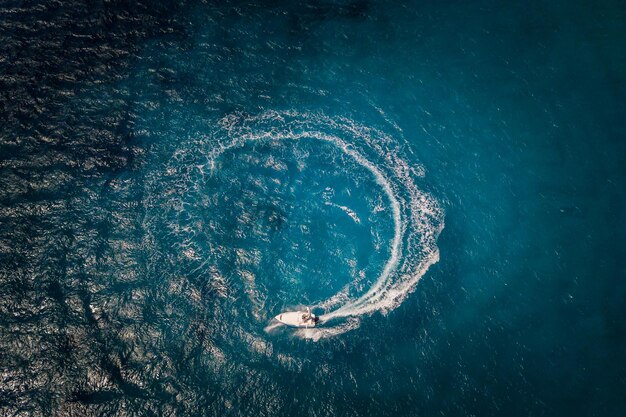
(417, 217)
